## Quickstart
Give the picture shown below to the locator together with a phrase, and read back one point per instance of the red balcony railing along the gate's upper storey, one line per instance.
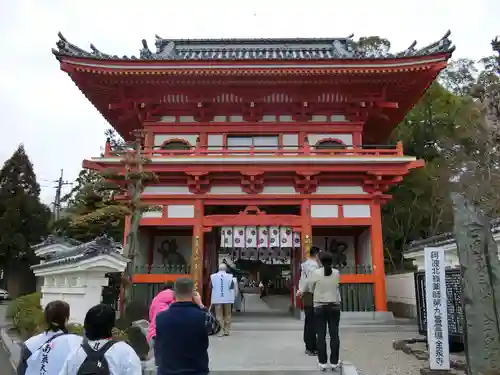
(285, 150)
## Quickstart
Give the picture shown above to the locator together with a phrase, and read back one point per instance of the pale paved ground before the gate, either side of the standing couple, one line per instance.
(277, 346)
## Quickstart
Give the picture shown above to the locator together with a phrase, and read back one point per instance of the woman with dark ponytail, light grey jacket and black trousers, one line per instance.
(324, 282)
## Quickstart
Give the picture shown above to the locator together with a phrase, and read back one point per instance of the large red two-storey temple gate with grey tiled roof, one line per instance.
(262, 148)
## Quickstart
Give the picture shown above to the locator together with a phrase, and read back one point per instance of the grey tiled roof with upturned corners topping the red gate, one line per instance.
(253, 49)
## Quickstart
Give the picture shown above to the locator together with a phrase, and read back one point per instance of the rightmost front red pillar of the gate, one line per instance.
(378, 257)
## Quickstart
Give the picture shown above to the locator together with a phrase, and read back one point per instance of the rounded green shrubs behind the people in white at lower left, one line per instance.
(28, 319)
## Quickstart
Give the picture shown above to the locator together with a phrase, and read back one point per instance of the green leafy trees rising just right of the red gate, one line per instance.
(446, 129)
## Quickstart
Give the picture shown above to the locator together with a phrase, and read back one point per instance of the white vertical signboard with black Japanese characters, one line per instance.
(437, 311)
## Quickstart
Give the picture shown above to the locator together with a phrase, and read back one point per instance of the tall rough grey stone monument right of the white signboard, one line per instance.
(478, 256)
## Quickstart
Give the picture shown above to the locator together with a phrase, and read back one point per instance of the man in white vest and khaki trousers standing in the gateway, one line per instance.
(223, 297)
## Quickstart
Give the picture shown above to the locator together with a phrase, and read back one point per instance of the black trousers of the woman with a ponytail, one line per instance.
(328, 315)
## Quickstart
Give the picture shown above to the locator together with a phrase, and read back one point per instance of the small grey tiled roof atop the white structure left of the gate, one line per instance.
(99, 246)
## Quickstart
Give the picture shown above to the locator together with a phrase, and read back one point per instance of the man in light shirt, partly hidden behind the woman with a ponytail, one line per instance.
(307, 268)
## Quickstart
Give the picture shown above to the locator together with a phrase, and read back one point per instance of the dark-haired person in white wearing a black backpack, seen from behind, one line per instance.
(99, 354)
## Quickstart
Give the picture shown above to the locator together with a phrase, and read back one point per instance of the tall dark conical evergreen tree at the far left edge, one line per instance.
(24, 220)
